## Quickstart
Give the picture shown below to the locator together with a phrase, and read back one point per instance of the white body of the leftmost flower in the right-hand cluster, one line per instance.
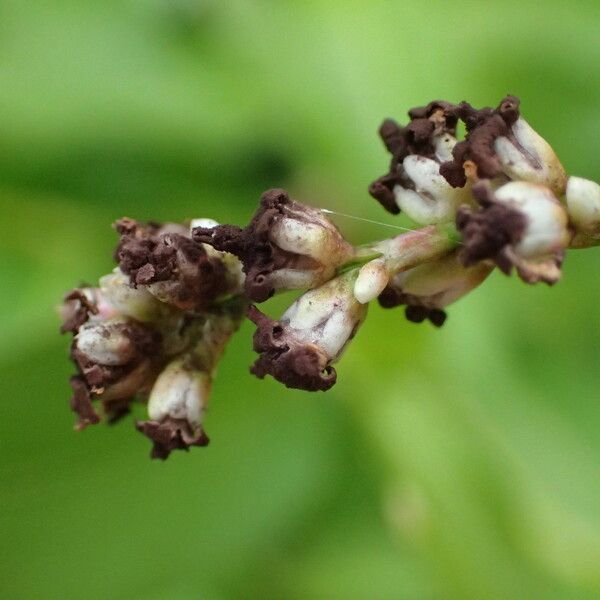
(430, 199)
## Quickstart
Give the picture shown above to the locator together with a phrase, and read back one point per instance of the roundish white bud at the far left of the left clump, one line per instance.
(106, 343)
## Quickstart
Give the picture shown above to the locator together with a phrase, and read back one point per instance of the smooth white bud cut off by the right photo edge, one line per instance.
(583, 206)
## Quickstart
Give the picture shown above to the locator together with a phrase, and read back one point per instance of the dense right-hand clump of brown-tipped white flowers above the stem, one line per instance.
(503, 187)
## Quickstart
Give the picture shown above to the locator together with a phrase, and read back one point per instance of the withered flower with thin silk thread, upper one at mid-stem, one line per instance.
(286, 246)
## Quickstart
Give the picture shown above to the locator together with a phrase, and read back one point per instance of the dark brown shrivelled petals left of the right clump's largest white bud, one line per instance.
(487, 233)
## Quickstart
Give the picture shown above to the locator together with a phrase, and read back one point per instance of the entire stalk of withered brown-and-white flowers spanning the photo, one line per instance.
(155, 328)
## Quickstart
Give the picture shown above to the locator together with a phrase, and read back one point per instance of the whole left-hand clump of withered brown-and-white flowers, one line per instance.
(153, 330)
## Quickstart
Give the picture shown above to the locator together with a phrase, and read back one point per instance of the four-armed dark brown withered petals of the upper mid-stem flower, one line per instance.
(259, 256)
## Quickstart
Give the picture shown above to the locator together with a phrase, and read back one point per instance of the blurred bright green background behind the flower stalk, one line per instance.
(452, 464)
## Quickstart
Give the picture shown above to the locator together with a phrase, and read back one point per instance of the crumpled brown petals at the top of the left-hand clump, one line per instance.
(150, 254)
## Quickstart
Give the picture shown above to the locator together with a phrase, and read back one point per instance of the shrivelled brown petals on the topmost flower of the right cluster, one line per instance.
(483, 126)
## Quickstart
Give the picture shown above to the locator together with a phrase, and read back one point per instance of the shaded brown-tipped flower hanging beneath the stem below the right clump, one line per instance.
(431, 286)
